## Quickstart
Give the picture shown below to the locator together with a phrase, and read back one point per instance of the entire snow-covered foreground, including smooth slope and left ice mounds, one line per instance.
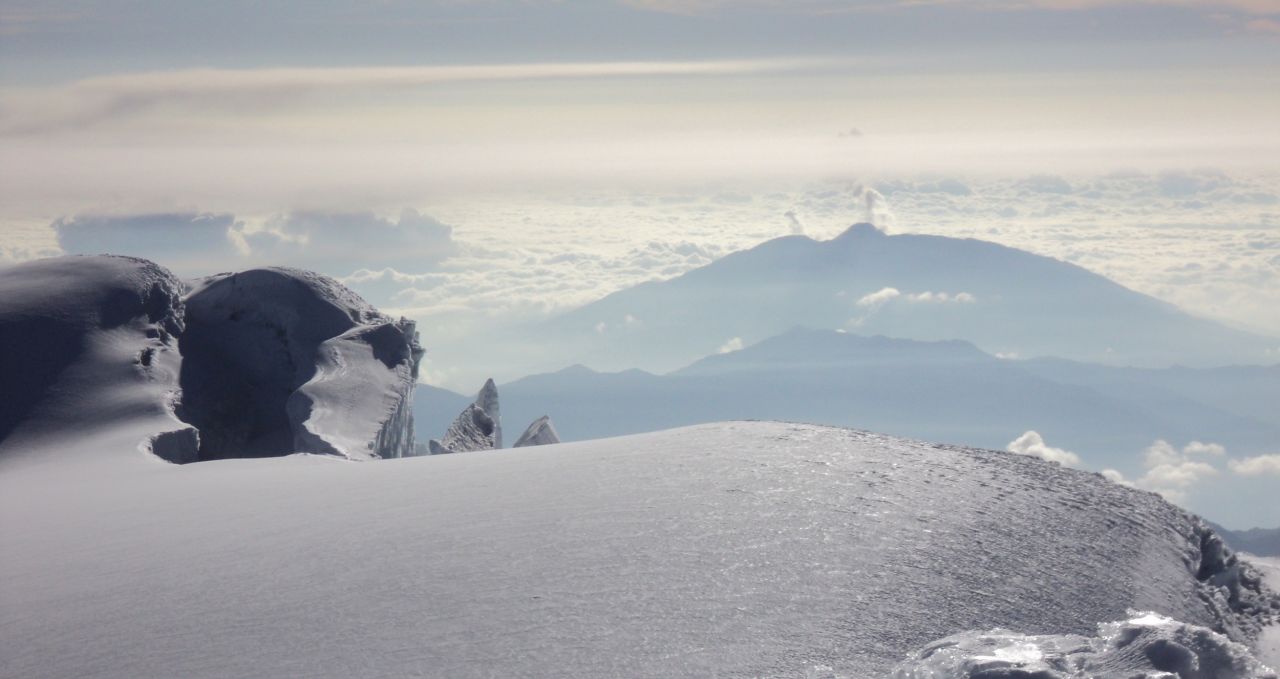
(739, 549)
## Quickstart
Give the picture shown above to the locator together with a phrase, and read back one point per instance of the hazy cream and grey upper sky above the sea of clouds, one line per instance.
(259, 107)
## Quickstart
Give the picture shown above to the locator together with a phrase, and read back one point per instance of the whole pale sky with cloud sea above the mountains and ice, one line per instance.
(476, 163)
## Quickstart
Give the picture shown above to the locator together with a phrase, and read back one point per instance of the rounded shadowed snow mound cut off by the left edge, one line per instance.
(89, 344)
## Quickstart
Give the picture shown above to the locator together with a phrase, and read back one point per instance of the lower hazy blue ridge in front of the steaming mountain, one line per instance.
(939, 391)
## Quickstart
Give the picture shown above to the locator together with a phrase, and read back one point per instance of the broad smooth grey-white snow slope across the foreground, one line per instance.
(726, 550)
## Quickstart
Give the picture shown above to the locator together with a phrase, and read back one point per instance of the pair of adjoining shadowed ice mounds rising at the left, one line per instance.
(262, 363)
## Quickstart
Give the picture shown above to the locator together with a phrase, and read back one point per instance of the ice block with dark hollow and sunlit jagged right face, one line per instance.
(284, 361)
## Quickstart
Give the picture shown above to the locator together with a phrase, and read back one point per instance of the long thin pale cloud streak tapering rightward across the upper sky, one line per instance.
(98, 101)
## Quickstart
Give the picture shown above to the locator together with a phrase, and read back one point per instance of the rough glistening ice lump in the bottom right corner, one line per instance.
(1146, 646)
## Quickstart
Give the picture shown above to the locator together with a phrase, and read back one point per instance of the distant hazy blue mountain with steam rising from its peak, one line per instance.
(932, 288)
